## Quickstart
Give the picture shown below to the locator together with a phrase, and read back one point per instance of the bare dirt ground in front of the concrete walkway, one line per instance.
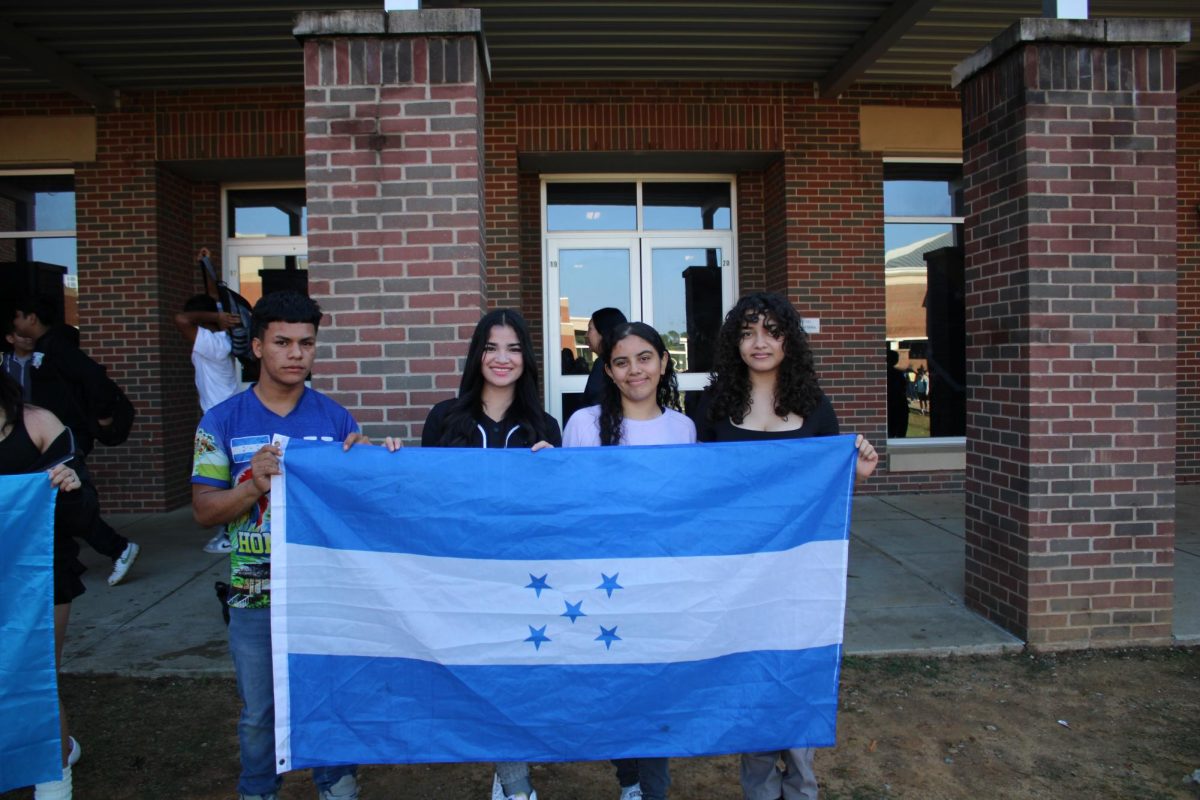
(1089, 725)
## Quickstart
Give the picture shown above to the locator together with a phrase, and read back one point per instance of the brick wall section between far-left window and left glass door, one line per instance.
(127, 222)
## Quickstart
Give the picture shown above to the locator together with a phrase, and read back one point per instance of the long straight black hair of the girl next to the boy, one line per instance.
(526, 410)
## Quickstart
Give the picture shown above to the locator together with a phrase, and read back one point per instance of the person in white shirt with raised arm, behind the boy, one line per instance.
(217, 370)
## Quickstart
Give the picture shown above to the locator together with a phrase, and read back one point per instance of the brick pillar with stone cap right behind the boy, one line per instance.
(394, 171)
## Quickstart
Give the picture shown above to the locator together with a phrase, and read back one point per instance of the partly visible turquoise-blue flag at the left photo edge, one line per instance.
(31, 750)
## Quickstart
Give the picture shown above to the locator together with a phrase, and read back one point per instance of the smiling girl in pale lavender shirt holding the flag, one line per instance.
(640, 406)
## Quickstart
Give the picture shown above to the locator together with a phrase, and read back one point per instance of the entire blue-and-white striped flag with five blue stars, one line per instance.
(453, 605)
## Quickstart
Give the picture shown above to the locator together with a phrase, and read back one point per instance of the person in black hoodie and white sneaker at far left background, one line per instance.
(68, 383)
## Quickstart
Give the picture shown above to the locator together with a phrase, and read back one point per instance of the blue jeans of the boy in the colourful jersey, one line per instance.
(250, 643)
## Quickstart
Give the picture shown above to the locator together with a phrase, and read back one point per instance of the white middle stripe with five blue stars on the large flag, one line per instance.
(511, 612)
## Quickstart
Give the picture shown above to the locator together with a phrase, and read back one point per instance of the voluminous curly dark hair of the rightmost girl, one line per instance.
(797, 390)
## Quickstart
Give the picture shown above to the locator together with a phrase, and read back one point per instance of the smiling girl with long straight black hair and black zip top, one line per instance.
(499, 406)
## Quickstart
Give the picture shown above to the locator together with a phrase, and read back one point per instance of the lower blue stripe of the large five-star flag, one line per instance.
(403, 711)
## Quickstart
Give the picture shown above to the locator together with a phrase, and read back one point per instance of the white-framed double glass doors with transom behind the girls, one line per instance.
(659, 249)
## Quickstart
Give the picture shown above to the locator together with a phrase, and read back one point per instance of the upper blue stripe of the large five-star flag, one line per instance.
(572, 504)
